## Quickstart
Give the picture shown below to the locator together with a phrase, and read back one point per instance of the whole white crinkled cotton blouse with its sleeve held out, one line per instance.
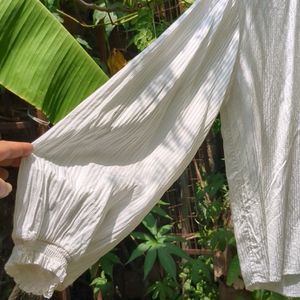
(93, 177)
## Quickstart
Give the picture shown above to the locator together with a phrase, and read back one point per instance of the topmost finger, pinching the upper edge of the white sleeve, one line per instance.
(11, 152)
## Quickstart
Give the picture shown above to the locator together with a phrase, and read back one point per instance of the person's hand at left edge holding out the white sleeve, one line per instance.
(11, 154)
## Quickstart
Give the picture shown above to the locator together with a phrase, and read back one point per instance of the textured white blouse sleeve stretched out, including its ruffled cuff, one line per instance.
(95, 175)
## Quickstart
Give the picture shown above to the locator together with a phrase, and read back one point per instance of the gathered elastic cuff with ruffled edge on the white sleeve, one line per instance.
(37, 267)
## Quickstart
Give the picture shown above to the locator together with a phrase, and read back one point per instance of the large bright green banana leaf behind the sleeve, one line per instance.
(41, 62)
